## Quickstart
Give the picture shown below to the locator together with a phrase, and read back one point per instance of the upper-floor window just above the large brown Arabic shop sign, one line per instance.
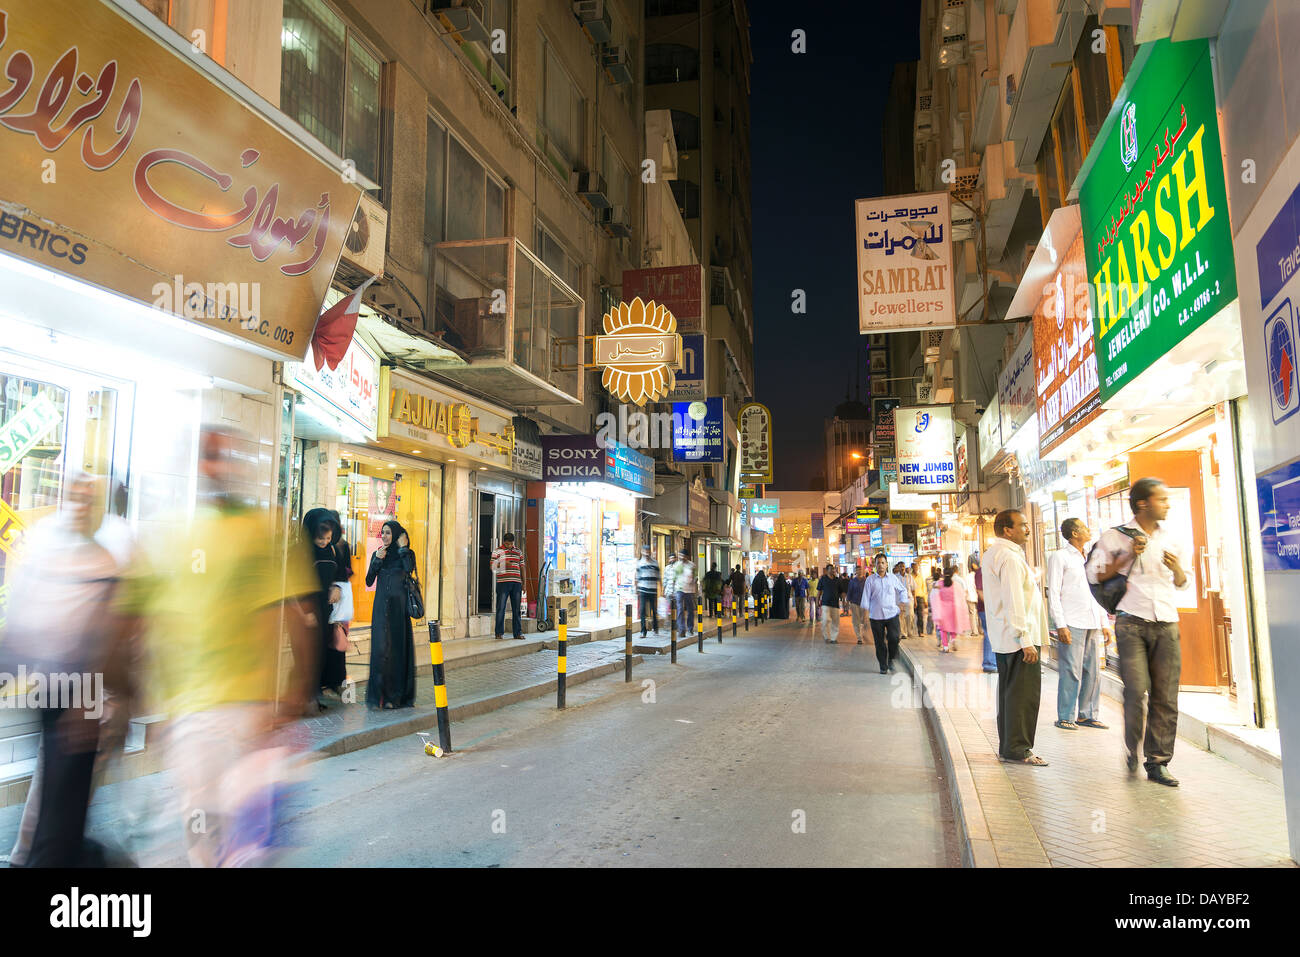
(330, 83)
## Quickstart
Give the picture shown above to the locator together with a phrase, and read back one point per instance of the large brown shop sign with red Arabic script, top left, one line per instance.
(127, 167)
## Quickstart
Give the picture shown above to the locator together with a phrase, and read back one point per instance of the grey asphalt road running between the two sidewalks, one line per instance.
(774, 750)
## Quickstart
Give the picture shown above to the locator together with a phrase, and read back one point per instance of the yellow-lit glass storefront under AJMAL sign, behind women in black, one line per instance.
(374, 491)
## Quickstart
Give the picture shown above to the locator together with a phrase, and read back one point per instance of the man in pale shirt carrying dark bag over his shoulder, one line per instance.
(1151, 659)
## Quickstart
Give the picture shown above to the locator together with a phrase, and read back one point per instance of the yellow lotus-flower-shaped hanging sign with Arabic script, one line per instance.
(639, 352)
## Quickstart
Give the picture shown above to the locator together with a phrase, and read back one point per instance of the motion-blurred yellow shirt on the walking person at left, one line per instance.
(211, 595)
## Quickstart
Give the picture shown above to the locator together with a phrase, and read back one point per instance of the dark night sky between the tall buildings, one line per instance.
(816, 149)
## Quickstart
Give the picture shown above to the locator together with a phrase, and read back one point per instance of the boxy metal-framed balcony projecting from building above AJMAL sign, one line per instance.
(514, 318)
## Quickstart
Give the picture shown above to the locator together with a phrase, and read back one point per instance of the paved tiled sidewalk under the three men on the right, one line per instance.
(1085, 811)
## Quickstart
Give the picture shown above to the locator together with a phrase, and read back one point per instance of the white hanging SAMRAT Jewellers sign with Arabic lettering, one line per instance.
(905, 263)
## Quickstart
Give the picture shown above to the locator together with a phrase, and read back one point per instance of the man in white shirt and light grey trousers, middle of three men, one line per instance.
(1080, 623)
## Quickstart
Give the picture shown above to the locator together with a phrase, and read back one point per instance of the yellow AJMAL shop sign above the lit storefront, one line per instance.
(418, 412)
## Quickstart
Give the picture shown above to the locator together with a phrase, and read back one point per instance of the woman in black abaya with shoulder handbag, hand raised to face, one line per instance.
(392, 638)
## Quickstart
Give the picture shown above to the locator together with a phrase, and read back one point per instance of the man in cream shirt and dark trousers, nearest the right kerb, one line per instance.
(1017, 629)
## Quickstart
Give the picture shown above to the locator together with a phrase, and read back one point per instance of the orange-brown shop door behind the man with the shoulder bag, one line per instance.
(1203, 623)
